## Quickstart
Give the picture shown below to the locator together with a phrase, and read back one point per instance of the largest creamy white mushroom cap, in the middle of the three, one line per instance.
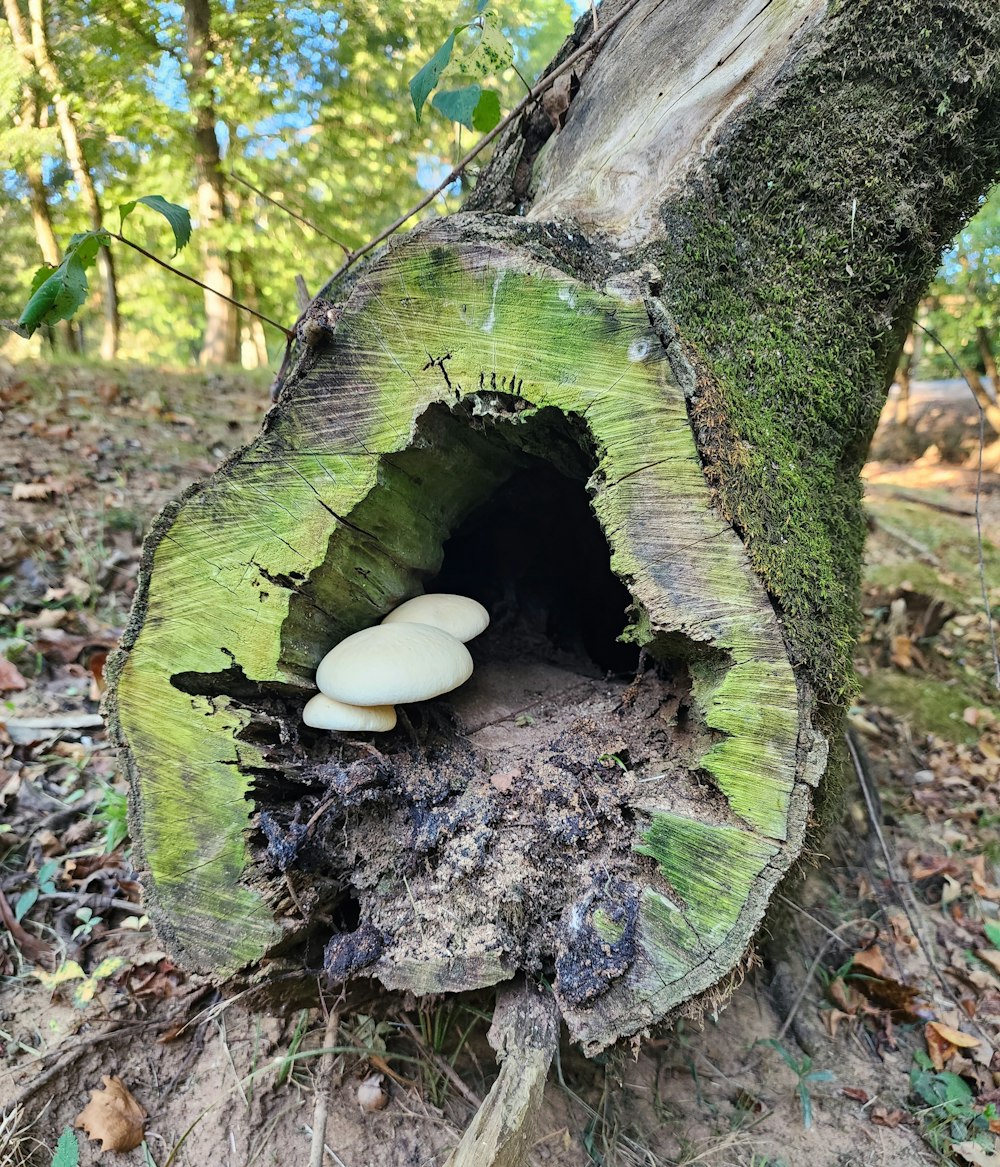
(394, 663)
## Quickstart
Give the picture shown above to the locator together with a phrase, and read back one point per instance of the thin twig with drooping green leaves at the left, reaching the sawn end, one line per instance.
(59, 294)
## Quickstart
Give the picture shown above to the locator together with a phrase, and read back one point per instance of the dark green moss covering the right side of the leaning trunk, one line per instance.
(791, 271)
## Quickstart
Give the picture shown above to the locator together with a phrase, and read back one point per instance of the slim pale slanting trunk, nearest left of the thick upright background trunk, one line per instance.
(75, 156)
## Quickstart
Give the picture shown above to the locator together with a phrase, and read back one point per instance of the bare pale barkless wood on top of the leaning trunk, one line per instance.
(630, 141)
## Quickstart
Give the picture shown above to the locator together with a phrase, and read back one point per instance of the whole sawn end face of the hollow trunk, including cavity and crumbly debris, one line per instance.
(581, 812)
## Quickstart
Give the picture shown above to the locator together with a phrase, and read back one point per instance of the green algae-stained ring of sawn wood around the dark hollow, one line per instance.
(449, 365)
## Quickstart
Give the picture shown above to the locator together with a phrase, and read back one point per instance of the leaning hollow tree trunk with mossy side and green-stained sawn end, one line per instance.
(638, 408)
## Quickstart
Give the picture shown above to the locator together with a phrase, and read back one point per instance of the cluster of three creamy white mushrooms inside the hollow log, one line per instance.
(417, 653)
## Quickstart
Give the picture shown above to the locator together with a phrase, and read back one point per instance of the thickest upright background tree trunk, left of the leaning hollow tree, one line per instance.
(221, 345)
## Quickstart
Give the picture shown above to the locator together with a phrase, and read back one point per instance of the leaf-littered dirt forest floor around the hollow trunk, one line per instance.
(865, 1035)
